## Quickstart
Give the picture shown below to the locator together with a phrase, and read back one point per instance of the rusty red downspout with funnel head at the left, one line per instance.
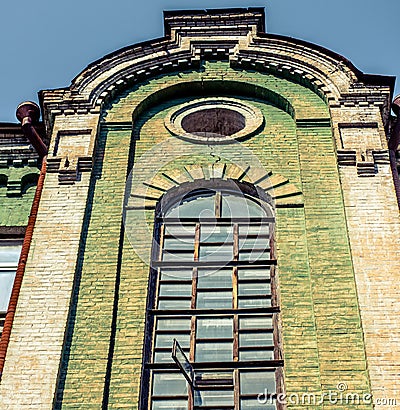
(27, 113)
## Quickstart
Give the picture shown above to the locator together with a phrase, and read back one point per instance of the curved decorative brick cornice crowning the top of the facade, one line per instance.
(235, 35)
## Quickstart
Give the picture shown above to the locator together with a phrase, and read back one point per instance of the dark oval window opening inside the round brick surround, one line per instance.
(214, 122)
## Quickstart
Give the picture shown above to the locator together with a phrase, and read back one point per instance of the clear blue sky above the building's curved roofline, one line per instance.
(45, 44)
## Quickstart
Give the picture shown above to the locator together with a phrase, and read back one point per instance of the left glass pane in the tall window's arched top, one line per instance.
(201, 206)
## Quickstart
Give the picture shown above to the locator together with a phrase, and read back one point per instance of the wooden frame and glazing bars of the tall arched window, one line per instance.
(194, 312)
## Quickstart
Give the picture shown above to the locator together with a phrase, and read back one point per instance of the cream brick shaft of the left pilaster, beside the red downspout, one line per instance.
(37, 336)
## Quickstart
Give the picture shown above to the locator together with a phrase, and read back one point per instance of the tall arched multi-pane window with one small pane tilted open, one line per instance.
(212, 291)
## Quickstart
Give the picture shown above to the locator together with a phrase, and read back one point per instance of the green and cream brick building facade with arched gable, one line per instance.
(233, 190)
